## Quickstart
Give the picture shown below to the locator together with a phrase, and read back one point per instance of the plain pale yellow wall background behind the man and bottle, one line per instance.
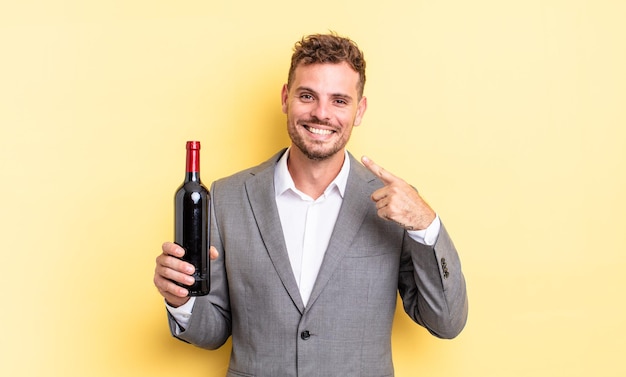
(510, 117)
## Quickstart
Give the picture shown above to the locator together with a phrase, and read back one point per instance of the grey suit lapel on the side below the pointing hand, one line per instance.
(355, 204)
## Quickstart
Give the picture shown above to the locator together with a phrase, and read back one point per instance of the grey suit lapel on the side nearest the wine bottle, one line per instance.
(263, 204)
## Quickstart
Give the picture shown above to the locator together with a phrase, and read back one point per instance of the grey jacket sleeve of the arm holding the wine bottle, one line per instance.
(210, 323)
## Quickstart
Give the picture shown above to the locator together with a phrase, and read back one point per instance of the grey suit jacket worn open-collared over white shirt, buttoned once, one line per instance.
(345, 330)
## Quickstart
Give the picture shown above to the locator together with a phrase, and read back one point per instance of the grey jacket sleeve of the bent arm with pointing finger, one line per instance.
(432, 285)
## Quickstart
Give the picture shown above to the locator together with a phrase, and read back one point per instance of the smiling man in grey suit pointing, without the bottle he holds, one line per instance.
(310, 248)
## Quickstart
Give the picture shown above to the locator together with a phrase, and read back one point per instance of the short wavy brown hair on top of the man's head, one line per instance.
(328, 48)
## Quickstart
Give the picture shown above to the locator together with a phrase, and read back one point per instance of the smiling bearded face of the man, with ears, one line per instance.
(322, 106)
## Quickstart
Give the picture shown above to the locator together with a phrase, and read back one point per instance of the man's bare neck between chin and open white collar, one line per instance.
(312, 177)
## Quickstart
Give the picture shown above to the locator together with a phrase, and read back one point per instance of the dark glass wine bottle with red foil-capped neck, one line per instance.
(191, 207)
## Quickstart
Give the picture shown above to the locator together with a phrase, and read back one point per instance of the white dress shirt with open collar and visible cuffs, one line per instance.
(307, 226)
